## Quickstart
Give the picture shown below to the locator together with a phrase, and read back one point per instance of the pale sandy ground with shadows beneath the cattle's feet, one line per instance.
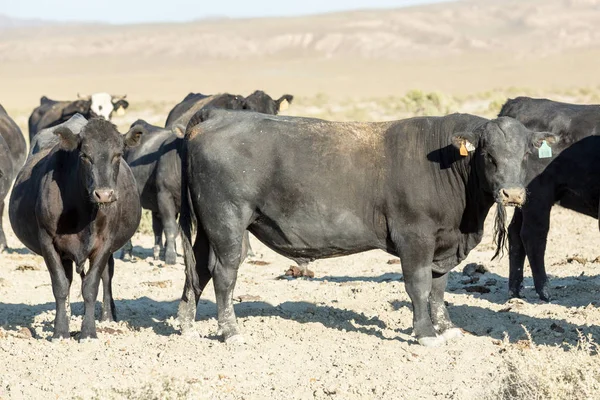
(344, 334)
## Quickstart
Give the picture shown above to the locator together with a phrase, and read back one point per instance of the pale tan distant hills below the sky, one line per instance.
(521, 28)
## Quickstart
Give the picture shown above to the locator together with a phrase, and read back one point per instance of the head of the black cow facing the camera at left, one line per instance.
(99, 147)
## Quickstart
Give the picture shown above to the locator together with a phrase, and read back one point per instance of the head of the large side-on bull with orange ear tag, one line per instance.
(501, 148)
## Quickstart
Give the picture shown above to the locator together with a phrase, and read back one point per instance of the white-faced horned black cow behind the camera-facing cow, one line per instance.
(51, 112)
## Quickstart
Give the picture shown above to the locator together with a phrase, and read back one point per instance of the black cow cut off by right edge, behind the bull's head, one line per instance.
(569, 177)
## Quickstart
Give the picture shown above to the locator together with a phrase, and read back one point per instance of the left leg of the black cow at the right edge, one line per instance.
(516, 253)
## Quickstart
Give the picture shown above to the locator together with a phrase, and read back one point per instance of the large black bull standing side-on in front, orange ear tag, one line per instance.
(313, 189)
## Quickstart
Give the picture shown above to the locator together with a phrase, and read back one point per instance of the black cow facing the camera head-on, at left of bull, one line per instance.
(76, 200)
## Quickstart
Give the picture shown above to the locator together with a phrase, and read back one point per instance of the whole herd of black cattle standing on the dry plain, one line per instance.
(418, 188)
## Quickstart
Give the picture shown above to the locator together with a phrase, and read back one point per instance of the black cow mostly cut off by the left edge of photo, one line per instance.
(13, 151)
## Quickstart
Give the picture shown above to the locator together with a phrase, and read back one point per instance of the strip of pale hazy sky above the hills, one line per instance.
(128, 11)
